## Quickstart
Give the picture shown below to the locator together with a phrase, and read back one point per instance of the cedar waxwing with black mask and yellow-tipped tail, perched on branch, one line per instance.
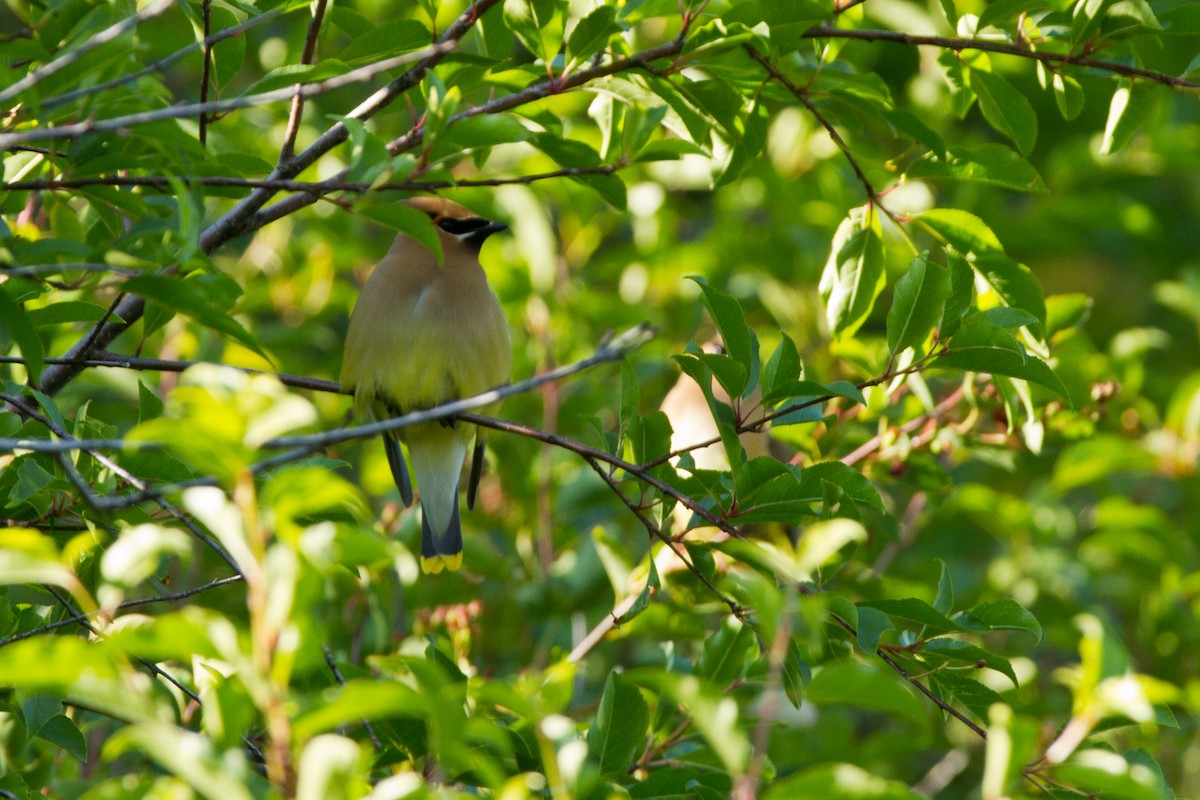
(424, 334)
